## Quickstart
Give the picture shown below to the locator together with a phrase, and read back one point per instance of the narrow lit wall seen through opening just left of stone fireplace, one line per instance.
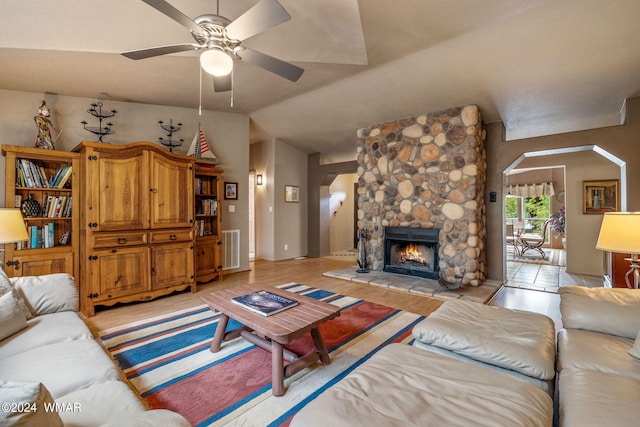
(342, 217)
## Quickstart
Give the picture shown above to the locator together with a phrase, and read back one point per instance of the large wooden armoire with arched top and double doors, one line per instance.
(136, 223)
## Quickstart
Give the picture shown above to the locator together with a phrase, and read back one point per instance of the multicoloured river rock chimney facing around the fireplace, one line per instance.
(427, 171)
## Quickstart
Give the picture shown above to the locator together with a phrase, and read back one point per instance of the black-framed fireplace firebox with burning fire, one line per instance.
(411, 251)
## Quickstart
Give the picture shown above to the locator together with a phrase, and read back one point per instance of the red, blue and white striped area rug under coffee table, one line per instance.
(167, 359)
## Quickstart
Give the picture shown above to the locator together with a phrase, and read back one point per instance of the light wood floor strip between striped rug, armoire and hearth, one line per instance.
(307, 271)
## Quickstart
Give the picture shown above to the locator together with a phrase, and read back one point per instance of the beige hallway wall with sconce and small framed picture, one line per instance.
(279, 223)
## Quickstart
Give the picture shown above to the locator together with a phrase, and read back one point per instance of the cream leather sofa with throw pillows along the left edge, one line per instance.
(47, 355)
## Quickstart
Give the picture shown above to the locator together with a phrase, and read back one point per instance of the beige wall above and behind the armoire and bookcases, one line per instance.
(227, 133)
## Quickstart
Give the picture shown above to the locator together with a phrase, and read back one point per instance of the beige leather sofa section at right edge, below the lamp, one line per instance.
(599, 357)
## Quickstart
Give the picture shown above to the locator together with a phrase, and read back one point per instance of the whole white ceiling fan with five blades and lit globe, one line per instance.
(221, 40)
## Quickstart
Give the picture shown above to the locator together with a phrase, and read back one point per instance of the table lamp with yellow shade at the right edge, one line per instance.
(620, 232)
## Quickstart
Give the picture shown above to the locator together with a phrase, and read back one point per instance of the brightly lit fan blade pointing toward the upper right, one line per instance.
(262, 16)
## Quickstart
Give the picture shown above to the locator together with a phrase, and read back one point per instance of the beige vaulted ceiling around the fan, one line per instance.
(540, 66)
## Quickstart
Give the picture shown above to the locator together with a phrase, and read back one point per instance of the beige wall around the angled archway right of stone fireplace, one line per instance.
(621, 141)
